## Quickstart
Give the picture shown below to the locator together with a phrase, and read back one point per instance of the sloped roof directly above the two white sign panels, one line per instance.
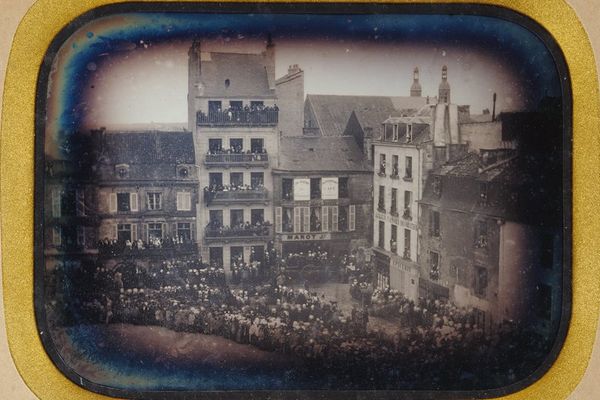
(319, 153)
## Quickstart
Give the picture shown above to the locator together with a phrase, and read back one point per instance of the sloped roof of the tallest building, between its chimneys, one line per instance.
(246, 73)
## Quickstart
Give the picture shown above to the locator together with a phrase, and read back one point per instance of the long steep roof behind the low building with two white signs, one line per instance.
(333, 111)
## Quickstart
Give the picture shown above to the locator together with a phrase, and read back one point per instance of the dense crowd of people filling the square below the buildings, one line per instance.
(437, 345)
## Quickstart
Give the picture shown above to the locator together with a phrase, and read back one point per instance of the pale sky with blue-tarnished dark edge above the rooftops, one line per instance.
(132, 68)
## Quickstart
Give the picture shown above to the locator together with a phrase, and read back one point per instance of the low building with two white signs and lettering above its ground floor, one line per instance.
(322, 198)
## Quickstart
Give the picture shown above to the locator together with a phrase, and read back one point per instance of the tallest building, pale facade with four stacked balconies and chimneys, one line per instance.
(234, 119)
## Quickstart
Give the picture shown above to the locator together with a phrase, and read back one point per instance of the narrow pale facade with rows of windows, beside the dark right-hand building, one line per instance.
(402, 155)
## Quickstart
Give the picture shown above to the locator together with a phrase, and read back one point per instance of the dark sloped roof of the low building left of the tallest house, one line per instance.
(148, 148)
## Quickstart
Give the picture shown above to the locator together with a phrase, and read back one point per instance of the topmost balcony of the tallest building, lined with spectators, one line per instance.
(264, 117)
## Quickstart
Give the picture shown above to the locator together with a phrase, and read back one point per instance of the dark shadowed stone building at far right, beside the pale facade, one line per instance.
(479, 247)
